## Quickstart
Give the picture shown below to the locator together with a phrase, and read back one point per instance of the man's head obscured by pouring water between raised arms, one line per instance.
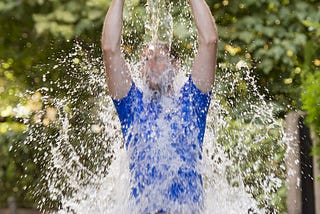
(158, 68)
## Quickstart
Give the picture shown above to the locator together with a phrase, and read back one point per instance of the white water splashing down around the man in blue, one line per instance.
(86, 165)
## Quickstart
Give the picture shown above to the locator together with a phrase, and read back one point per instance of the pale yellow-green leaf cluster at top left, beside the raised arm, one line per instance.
(69, 19)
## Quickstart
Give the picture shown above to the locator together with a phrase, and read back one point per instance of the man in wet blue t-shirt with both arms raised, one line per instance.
(163, 130)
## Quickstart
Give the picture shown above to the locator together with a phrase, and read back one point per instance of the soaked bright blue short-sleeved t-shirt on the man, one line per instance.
(164, 138)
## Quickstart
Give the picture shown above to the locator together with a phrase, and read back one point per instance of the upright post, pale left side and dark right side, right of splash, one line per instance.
(300, 166)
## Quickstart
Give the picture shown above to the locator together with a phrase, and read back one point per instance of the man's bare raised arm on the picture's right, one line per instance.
(203, 71)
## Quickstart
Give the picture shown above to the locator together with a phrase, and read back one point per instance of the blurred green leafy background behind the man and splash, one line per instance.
(278, 39)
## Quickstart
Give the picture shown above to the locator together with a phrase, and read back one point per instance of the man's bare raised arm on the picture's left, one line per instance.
(118, 76)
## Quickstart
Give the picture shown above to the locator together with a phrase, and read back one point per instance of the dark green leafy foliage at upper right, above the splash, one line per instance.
(270, 36)
